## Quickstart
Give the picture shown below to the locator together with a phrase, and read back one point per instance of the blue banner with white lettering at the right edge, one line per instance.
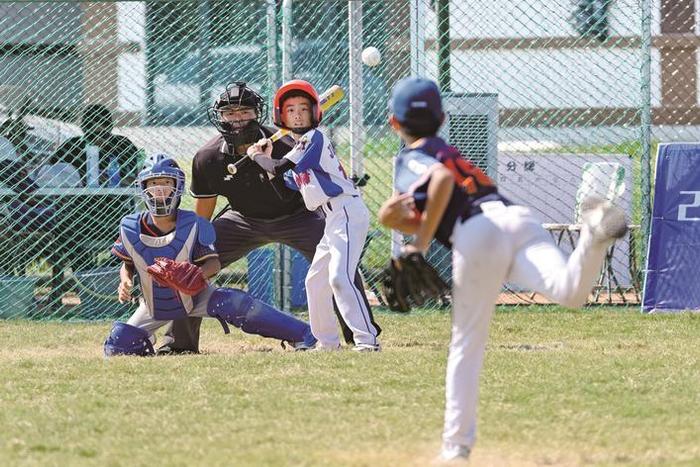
(672, 281)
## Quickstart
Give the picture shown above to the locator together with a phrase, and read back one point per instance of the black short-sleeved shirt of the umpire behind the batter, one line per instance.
(249, 191)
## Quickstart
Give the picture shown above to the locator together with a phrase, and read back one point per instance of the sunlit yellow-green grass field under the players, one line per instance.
(596, 387)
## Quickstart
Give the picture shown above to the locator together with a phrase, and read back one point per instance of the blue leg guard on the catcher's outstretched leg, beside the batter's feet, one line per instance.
(239, 308)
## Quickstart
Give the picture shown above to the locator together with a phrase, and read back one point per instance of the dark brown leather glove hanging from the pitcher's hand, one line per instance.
(409, 281)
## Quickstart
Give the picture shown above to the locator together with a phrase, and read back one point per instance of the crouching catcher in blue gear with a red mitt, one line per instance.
(172, 251)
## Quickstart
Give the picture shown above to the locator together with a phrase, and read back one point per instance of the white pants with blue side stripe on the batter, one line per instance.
(332, 272)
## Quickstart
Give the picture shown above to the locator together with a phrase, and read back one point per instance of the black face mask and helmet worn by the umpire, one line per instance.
(237, 114)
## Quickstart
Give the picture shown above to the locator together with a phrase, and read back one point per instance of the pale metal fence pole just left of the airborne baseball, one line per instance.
(356, 88)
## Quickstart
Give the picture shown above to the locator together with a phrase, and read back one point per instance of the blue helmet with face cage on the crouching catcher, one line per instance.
(162, 198)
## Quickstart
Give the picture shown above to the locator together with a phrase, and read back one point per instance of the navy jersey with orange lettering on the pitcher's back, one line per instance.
(413, 170)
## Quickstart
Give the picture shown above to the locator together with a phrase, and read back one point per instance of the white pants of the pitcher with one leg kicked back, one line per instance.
(503, 244)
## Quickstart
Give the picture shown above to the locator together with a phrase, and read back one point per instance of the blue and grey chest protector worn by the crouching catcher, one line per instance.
(163, 302)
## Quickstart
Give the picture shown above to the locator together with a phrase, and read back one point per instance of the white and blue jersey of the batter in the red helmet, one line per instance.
(318, 173)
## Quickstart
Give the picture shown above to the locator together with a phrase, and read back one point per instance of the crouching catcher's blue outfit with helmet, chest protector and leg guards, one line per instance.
(191, 240)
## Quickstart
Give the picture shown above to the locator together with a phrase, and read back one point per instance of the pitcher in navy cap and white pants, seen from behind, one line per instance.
(442, 195)
